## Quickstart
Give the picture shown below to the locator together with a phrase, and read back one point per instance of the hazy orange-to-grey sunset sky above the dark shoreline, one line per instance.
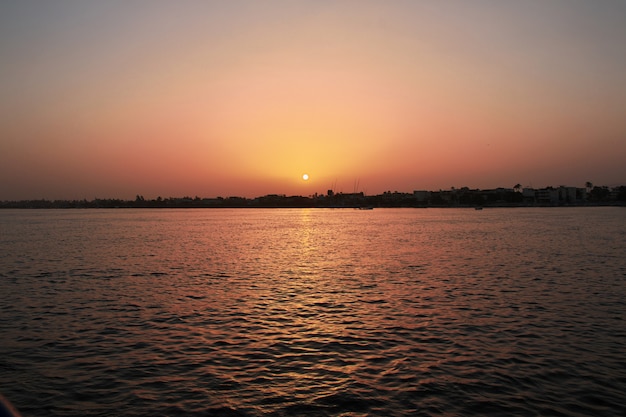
(113, 99)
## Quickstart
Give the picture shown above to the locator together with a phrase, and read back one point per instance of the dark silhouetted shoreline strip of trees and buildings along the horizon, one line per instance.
(454, 197)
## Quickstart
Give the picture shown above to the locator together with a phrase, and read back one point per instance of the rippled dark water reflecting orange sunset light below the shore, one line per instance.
(387, 312)
